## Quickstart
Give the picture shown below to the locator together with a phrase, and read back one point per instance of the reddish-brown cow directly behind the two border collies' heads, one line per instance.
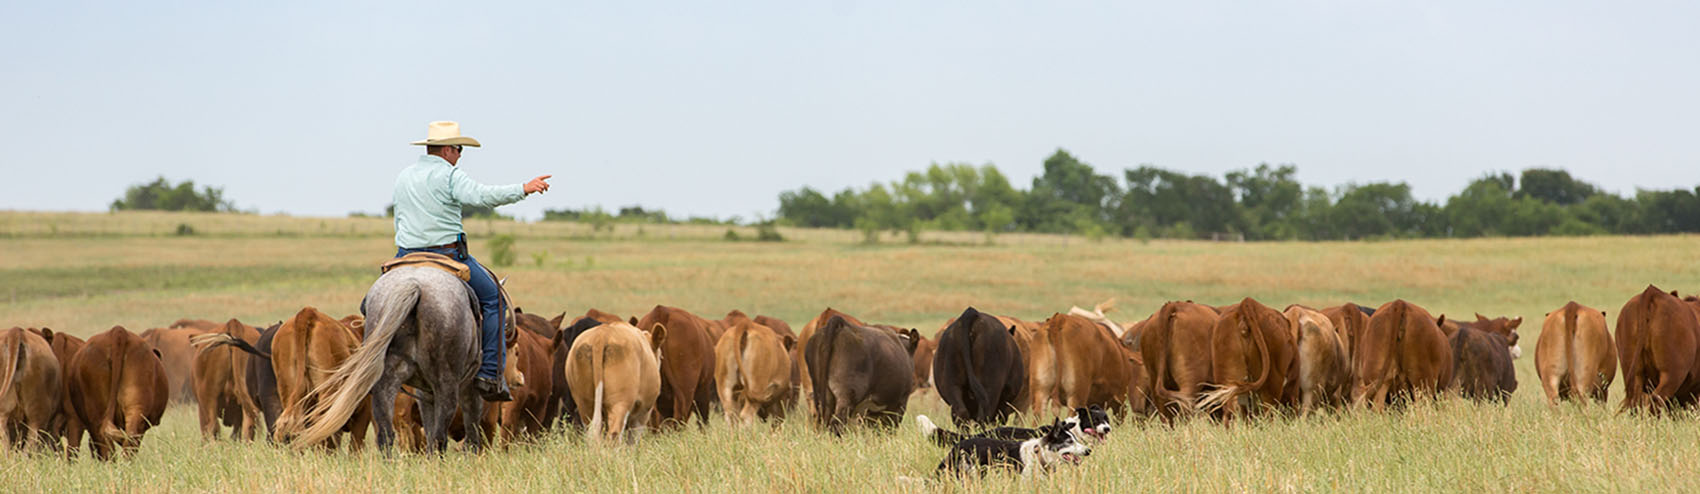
(1092, 368)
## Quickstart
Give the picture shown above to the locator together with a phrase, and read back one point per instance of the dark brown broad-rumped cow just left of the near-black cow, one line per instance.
(859, 371)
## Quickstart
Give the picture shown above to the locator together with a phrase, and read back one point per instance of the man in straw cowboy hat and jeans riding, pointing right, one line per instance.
(429, 198)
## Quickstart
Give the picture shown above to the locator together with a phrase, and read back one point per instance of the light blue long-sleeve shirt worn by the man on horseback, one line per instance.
(429, 198)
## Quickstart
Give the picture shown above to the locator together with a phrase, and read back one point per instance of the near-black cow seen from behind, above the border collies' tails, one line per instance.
(978, 371)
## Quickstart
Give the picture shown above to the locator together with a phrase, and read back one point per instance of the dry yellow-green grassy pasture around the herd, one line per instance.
(86, 272)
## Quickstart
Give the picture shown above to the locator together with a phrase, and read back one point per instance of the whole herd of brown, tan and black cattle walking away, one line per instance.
(618, 376)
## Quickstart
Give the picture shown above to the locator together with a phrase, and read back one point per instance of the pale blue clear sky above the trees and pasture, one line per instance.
(715, 108)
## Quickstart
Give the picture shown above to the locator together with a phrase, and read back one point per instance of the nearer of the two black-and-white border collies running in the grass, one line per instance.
(1057, 446)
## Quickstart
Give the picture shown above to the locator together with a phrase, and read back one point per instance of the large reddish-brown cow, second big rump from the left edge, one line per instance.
(118, 390)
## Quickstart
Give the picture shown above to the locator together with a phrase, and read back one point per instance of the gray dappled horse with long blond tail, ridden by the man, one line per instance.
(421, 332)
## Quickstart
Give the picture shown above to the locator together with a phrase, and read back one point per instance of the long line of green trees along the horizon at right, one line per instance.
(1264, 203)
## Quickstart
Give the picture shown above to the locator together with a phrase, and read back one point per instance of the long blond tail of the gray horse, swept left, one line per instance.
(353, 383)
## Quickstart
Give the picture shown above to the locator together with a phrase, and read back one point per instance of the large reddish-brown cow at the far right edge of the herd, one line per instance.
(1658, 345)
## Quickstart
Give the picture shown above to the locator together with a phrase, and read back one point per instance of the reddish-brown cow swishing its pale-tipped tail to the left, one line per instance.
(1252, 352)
